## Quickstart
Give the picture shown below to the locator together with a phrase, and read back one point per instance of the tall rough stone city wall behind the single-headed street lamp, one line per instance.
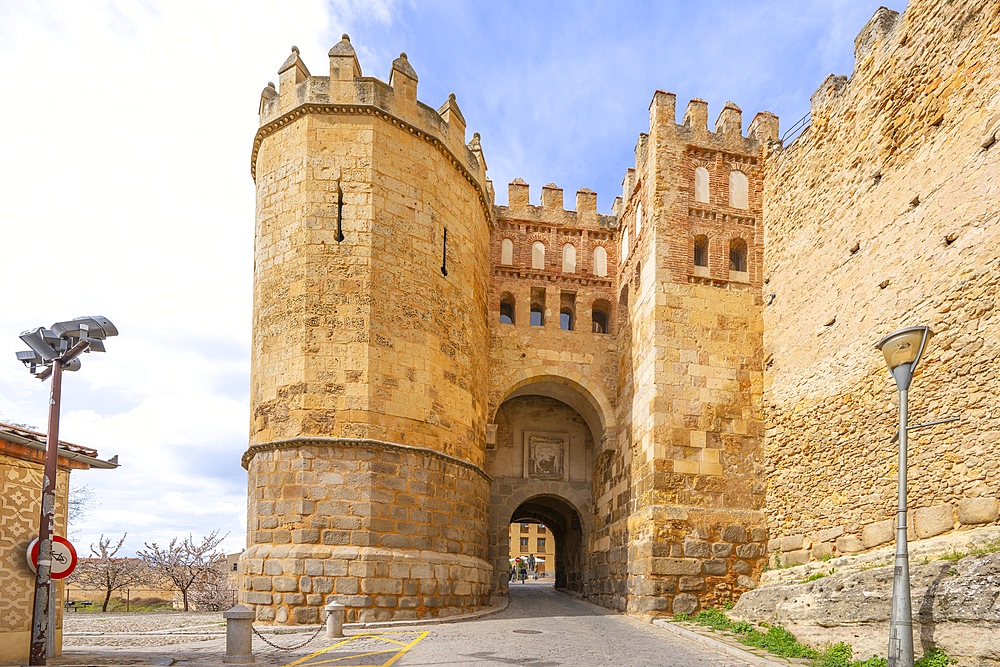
(883, 214)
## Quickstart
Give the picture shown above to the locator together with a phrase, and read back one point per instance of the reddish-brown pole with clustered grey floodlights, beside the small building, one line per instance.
(53, 351)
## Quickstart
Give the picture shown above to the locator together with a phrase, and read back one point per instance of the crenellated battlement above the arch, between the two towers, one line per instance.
(552, 211)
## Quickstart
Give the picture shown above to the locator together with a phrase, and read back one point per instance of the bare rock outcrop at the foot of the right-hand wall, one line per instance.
(956, 607)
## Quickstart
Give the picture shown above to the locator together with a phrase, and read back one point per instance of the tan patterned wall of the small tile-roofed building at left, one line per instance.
(20, 492)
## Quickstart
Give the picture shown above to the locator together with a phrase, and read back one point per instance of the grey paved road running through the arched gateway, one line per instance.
(540, 628)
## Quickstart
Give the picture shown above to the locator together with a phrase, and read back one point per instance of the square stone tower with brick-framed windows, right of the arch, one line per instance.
(695, 361)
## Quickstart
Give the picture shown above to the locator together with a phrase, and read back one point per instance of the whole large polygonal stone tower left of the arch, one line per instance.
(369, 359)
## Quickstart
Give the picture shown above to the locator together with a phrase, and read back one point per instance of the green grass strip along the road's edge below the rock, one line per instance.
(781, 642)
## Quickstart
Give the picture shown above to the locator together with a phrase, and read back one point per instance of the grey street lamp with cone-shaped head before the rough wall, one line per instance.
(902, 350)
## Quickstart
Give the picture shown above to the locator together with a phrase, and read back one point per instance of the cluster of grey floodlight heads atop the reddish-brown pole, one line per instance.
(48, 345)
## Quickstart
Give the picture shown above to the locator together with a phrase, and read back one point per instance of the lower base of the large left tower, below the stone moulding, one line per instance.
(394, 534)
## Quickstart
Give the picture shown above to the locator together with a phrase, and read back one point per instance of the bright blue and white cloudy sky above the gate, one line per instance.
(126, 185)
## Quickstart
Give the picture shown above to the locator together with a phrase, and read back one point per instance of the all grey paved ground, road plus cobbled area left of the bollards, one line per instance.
(540, 628)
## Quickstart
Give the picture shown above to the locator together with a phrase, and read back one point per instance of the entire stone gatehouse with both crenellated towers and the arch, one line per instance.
(415, 386)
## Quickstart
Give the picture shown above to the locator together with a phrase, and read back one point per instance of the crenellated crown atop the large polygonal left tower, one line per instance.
(344, 91)
